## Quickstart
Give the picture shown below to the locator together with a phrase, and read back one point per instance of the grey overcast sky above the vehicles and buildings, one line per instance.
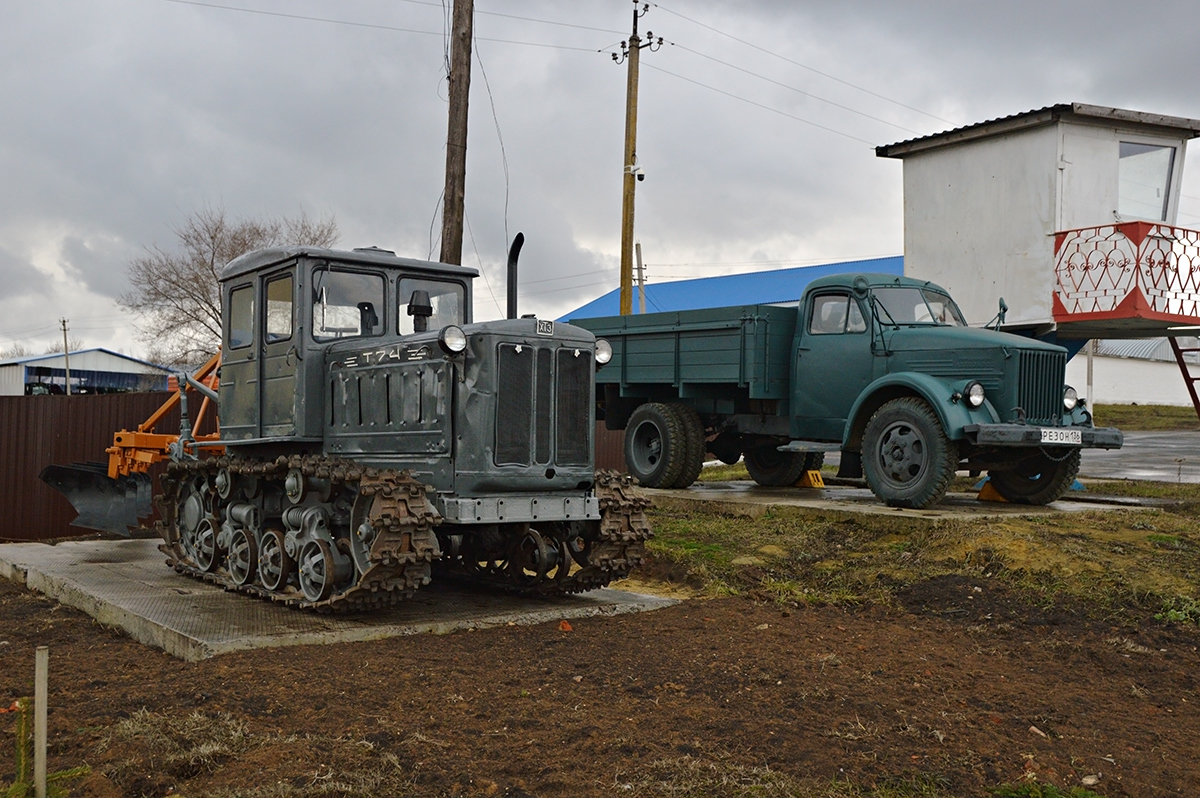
(119, 118)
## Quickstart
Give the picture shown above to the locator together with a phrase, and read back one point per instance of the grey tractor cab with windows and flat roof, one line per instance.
(285, 308)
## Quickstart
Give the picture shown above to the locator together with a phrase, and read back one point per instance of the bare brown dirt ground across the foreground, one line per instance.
(959, 689)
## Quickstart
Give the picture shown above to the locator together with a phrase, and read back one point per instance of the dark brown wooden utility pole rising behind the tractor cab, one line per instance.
(457, 133)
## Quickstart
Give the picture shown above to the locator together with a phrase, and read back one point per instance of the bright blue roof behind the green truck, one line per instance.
(753, 289)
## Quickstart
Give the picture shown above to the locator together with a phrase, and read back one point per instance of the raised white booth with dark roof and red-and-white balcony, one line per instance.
(1066, 212)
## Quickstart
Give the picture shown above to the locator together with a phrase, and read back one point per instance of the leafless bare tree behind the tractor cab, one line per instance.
(176, 295)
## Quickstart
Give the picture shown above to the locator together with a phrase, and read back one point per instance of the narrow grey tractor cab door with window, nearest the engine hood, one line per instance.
(280, 358)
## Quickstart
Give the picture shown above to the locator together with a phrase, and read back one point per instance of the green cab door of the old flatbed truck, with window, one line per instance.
(835, 363)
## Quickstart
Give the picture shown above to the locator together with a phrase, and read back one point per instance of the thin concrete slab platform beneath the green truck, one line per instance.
(752, 500)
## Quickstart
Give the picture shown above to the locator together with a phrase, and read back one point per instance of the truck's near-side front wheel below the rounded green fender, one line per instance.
(908, 459)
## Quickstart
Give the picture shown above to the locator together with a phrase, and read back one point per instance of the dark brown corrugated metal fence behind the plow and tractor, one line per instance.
(39, 431)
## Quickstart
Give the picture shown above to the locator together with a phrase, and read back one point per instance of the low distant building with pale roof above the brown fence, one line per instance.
(93, 371)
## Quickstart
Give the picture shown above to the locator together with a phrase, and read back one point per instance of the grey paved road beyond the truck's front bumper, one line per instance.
(1160, 457)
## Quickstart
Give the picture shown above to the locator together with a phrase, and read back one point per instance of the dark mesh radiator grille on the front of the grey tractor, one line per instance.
(542, 417)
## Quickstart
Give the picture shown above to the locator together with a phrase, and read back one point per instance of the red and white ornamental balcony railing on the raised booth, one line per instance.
(1133, 269)
